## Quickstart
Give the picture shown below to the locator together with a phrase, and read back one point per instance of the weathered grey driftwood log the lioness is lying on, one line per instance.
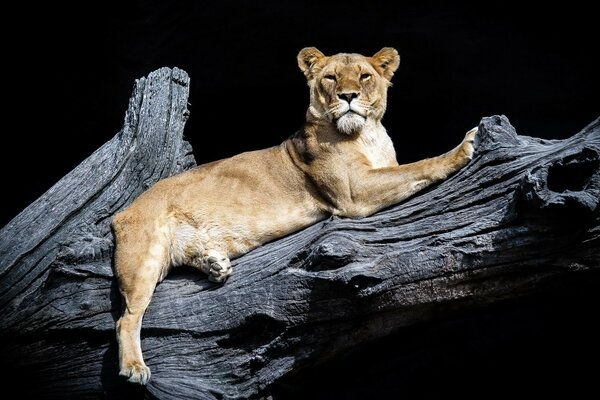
(524, 213)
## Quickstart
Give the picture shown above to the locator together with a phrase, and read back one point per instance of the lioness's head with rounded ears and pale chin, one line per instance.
(348, 90)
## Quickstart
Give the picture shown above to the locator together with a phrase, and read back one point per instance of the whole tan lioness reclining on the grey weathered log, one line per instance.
(341, 162)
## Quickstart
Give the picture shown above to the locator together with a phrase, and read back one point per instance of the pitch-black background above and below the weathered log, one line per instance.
(71, 71)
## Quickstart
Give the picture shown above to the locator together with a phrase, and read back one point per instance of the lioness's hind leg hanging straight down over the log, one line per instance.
(139, 266)
